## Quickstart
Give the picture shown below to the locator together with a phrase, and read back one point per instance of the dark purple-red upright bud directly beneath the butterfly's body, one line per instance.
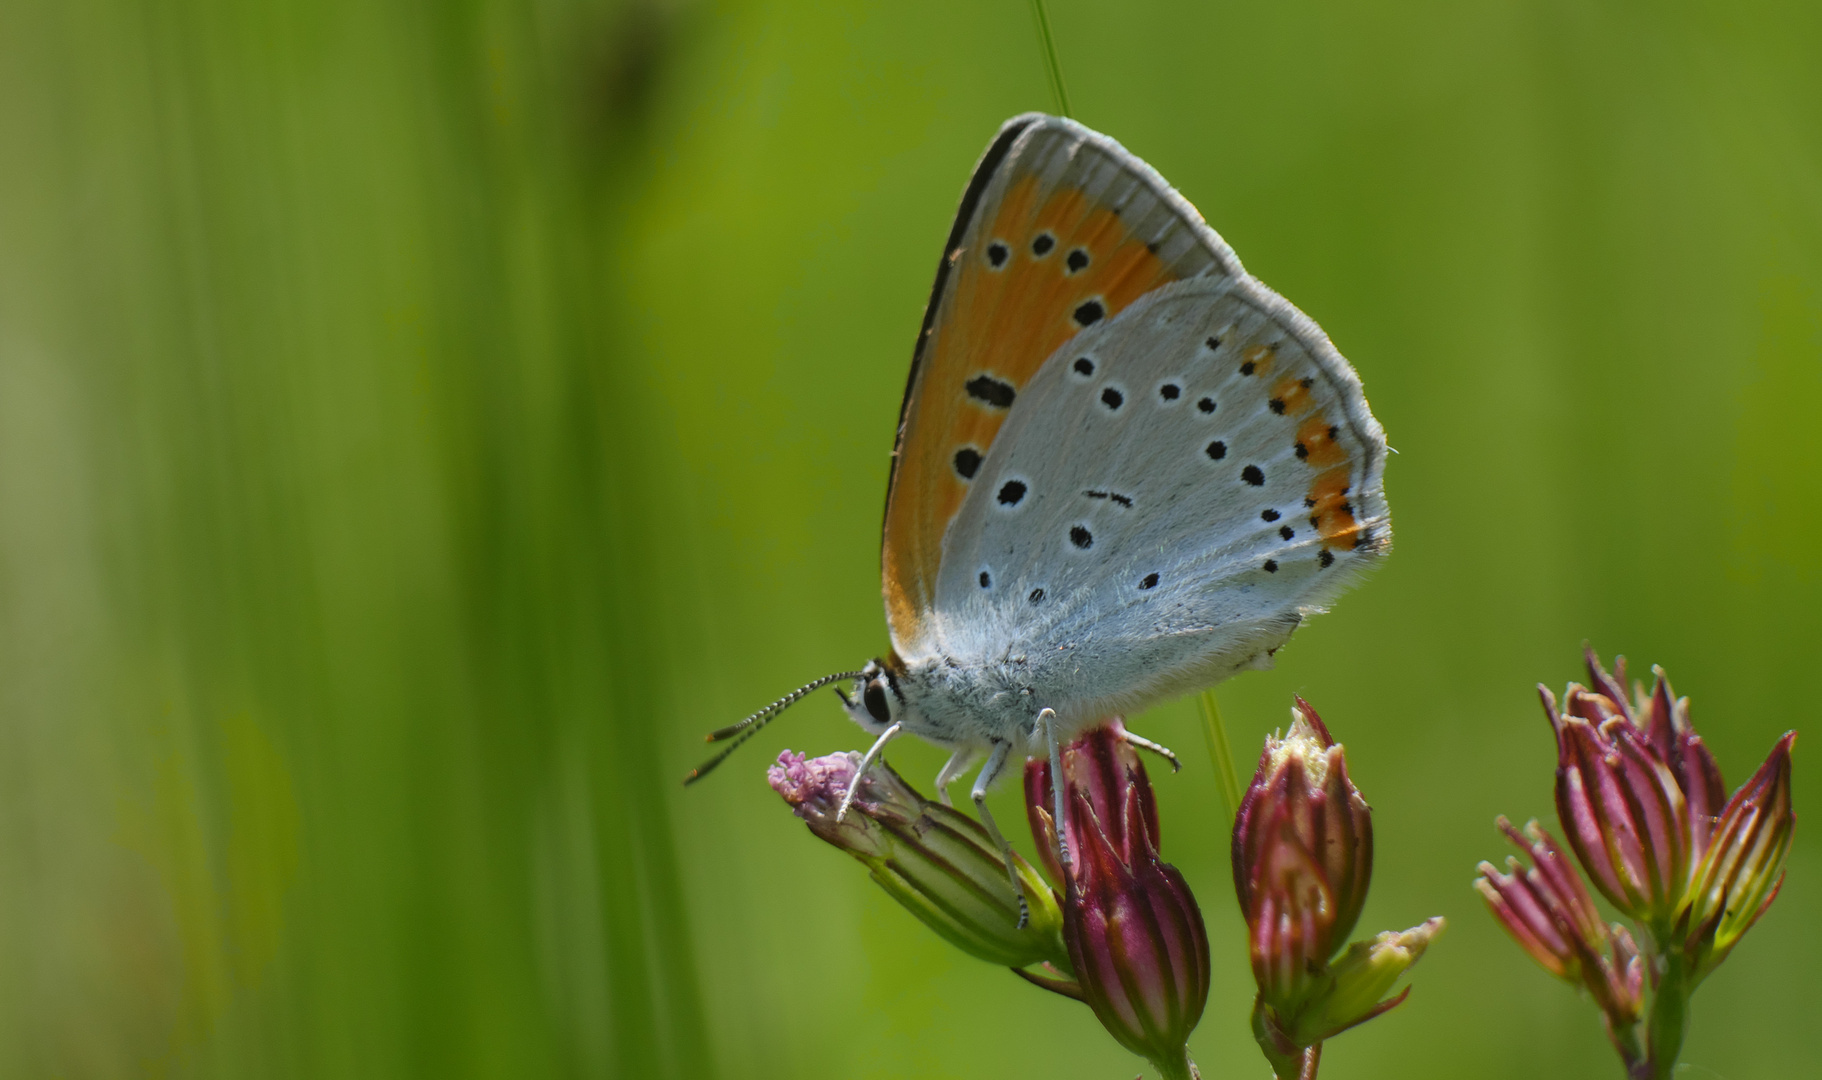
(1131, 921)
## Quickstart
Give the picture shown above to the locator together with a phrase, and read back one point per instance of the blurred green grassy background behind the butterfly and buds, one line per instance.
(422, 420)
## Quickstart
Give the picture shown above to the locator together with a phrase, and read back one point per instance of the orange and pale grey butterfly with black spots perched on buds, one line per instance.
(1125, 469)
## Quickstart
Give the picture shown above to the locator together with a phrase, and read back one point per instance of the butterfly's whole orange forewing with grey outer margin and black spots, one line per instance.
(1059, 232)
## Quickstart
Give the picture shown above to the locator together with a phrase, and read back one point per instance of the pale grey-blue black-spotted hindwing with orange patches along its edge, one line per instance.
(1174, 489)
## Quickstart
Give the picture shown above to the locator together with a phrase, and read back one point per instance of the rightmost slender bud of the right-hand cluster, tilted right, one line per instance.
(1745, 866)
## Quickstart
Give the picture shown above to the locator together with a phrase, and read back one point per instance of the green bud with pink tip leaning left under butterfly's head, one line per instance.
(934, 861)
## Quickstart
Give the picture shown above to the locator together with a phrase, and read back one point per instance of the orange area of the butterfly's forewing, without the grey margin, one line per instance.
(1001, 323)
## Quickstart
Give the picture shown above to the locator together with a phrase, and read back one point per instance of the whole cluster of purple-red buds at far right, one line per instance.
(1644, 810)
